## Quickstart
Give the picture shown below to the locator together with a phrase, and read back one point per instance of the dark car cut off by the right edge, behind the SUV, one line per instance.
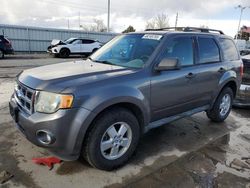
(243, 97)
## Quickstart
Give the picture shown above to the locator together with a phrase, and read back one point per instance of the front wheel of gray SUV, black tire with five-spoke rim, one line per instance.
(101, 129)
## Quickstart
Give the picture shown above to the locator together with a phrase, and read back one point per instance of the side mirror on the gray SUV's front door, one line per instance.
(168, 64)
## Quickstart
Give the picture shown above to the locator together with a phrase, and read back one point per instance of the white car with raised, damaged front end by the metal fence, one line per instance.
(73, 46)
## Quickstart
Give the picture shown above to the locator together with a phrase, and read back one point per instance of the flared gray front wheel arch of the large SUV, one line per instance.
(108, 97)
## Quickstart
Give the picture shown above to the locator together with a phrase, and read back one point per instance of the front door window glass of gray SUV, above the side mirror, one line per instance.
(182, 49)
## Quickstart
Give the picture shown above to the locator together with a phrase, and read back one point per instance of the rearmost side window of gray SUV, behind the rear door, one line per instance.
(229, 50)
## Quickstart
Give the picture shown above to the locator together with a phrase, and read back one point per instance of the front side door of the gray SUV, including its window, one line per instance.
(173, 91)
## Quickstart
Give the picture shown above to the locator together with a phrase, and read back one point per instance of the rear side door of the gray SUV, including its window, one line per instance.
(208, 70)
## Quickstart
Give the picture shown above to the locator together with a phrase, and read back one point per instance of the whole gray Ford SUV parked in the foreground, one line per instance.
(98, 108)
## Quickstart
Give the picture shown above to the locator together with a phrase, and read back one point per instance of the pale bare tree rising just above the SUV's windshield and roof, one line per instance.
(157, 22)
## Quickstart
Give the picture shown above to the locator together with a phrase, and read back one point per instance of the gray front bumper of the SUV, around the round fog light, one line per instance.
(66, 127)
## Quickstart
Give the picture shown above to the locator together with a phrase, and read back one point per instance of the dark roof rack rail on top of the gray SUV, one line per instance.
(188, 29)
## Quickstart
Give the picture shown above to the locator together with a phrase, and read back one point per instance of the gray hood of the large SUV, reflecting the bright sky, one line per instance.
(57, 77)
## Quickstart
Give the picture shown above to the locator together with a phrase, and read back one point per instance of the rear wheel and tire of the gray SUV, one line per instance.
(220, 112)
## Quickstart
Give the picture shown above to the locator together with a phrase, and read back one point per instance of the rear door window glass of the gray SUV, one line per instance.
(208, 50)
